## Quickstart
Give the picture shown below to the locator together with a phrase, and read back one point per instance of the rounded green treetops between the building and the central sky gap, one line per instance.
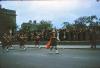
(32, 26)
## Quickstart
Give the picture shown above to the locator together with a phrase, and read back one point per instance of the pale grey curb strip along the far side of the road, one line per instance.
(64, 46)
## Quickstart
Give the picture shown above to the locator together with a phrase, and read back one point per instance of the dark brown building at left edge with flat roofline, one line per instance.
(7, 20)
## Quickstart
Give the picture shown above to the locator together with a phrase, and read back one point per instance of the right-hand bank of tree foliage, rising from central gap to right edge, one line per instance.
(81, 22)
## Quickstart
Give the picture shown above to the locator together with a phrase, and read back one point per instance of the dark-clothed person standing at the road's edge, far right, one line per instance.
(92, 38)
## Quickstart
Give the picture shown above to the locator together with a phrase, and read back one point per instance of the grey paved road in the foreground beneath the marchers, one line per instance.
(41, 58)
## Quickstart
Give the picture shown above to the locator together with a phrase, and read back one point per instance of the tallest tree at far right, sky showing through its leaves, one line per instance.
(82, 22)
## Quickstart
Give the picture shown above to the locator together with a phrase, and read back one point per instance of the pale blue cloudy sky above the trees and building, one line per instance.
(58, 11)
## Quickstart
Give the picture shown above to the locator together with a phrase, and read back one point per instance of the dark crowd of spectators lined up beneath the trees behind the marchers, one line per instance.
(62, 34)
